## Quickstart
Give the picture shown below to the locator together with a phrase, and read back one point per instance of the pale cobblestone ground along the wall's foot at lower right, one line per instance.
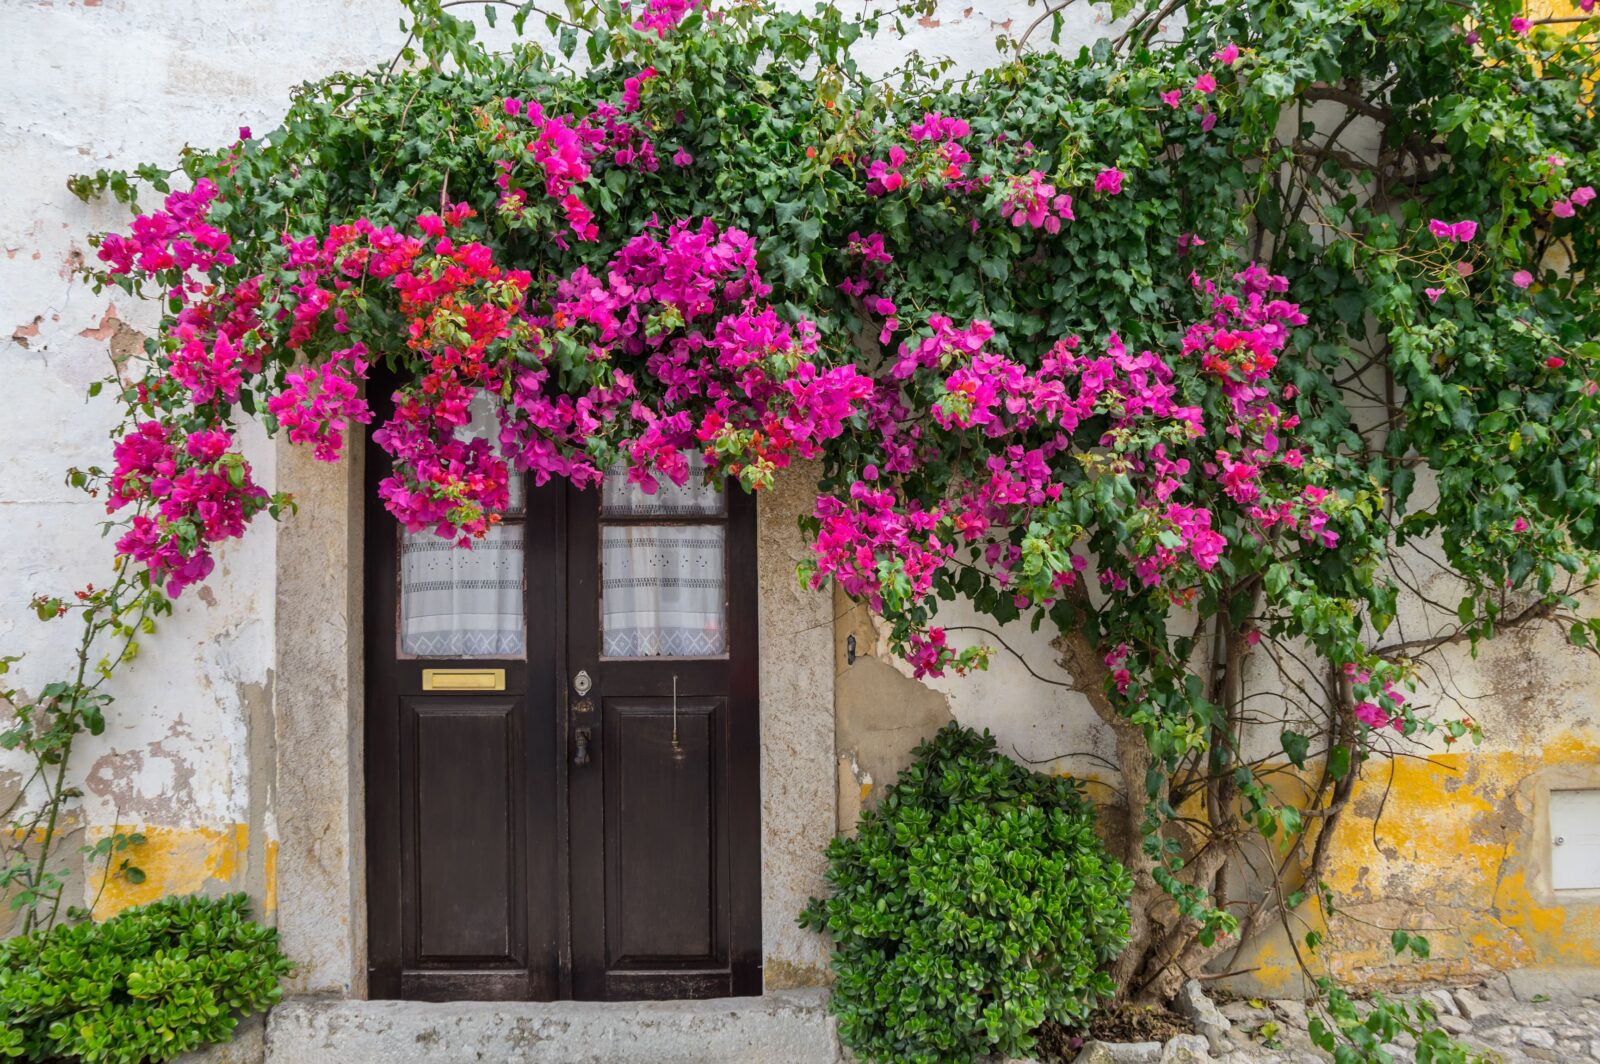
(1527, 1023)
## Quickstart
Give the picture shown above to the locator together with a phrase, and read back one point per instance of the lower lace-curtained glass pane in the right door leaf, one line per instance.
(663, 591)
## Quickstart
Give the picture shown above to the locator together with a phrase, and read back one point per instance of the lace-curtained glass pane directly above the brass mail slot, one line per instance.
(462, 602)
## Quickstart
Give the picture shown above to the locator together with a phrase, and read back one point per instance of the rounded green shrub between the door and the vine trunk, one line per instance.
(974, 905)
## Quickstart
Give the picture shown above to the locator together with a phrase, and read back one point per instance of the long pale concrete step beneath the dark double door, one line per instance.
(782, 1028)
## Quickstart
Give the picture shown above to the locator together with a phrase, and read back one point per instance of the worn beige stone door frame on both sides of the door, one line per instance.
(318, 807)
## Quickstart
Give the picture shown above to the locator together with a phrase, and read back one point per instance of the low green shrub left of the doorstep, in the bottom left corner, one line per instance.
(143, 986)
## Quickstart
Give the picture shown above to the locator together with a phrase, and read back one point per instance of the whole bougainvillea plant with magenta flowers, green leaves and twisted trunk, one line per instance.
(1188, 346)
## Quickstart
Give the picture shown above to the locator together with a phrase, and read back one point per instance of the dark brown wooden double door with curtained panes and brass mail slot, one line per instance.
(562, 756)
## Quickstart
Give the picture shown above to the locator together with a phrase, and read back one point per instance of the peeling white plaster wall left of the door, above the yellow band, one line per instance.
(116, 84)
